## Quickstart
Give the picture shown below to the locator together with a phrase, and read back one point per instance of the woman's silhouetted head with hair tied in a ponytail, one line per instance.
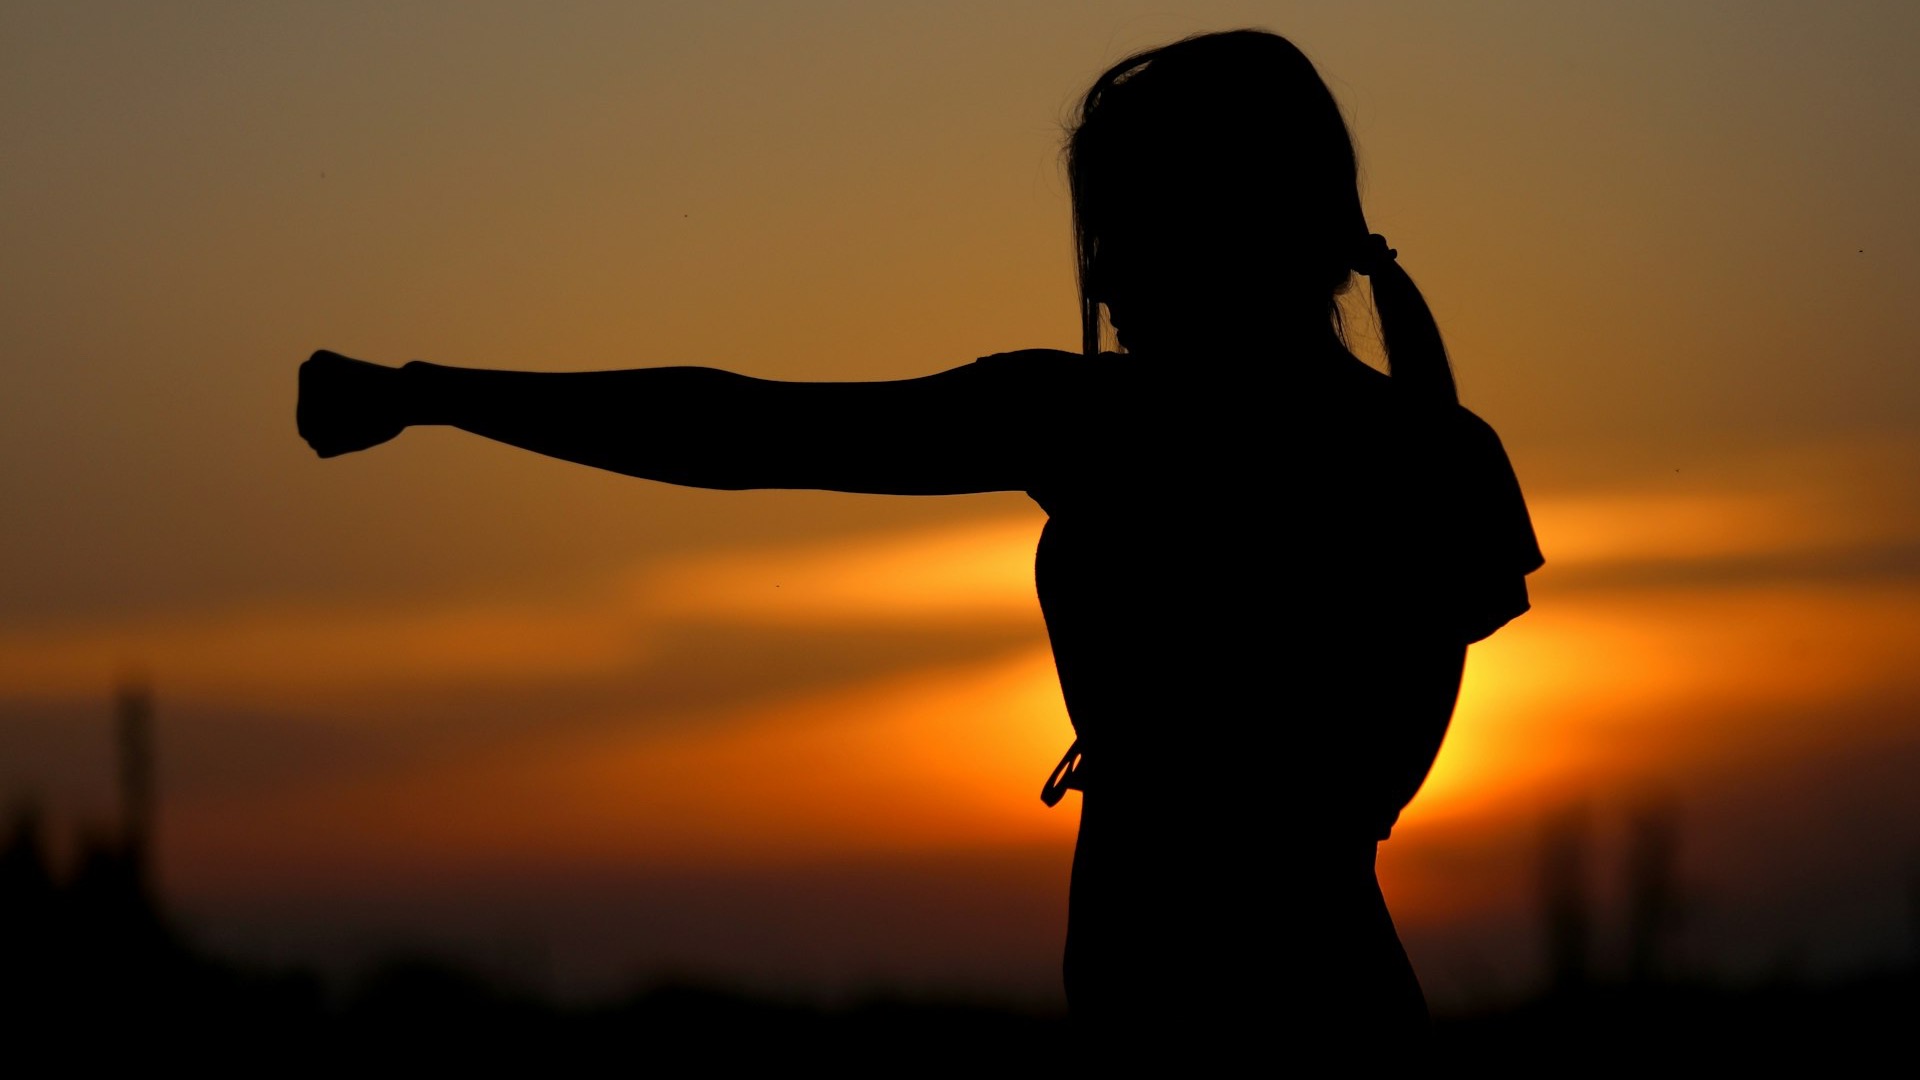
(1216, 174)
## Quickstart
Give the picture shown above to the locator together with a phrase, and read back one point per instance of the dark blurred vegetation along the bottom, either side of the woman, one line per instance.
(91, 964)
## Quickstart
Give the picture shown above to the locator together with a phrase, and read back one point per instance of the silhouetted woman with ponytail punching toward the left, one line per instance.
(1262, 564)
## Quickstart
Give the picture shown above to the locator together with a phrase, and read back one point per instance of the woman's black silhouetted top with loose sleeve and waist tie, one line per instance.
(1259, 589)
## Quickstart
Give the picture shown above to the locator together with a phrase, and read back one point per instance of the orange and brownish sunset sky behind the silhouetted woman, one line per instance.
(596, 729)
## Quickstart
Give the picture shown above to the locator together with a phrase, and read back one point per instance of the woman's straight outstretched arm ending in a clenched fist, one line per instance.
(948, 433)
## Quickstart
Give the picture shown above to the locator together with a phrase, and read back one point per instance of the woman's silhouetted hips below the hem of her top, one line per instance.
(1230, 921)
